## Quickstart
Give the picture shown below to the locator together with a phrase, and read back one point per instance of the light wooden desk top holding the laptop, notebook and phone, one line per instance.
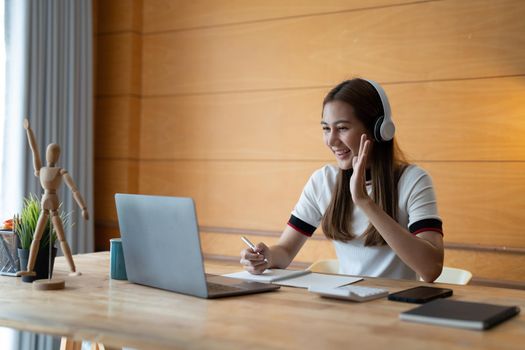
(117, 313)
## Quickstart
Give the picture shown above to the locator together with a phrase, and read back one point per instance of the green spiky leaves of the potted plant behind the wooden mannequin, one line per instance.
(25, 224)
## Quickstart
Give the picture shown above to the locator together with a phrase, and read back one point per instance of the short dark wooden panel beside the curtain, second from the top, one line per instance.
(119, 64)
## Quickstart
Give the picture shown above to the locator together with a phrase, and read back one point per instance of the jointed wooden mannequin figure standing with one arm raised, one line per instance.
(50, 179)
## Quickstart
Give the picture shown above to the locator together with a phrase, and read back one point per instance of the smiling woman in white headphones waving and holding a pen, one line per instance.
(379, 211)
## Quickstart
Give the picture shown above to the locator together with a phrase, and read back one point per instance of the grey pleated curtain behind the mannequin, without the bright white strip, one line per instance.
(58, 100)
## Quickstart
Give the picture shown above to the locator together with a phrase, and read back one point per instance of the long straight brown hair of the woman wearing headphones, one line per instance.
(387, 165)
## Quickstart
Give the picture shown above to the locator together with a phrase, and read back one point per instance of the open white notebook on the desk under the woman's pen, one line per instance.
(296, 278)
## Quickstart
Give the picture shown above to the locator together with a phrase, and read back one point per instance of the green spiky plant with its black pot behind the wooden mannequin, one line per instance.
(25, 226)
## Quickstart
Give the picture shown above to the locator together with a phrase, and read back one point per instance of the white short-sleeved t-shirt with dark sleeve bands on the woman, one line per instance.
(417, 211)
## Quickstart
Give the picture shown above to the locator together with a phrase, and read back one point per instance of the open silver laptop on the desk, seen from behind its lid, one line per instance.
(160, 239)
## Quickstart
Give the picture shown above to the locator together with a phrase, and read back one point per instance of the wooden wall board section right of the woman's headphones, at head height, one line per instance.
(474, 120)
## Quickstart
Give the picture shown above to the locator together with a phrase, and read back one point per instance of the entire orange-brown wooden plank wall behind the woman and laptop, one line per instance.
(229, 94)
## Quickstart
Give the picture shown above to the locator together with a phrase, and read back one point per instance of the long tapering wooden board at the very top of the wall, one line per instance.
(164, 15)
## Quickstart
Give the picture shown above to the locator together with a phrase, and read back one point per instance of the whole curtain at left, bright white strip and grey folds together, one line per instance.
(50, 81)
